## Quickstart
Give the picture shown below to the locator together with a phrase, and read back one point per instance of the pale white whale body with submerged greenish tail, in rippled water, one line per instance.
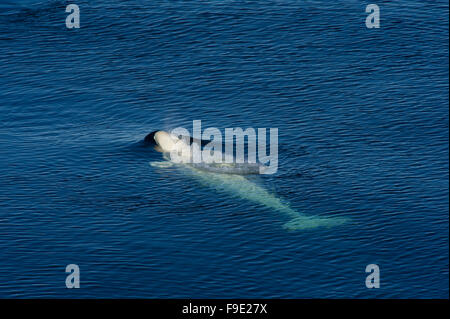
(237, 185)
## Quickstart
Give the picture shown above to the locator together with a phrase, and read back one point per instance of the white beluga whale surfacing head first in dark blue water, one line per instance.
(231, 178)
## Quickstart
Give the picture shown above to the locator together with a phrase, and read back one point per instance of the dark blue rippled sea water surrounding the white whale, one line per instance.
(363, 124)
